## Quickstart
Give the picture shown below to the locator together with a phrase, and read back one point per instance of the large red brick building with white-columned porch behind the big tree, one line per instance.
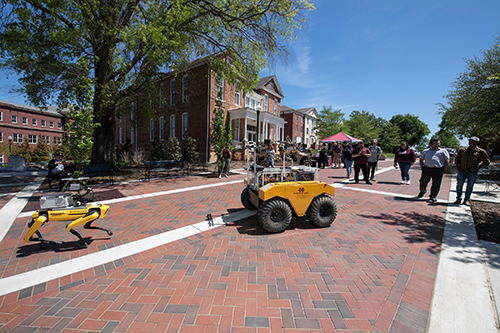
(190, 100)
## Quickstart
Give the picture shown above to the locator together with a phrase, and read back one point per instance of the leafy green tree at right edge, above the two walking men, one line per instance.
(473, 104)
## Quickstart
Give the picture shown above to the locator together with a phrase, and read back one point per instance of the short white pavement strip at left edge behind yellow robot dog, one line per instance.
(11, 210)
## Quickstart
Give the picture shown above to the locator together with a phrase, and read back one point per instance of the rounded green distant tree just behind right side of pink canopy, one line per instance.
(363, 125)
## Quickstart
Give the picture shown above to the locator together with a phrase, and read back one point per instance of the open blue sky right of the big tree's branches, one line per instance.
(386, 57)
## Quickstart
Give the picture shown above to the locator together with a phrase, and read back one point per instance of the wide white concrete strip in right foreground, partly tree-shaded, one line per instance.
(461, 300)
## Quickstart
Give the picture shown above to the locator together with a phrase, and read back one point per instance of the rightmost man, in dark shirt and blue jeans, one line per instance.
(469, 160)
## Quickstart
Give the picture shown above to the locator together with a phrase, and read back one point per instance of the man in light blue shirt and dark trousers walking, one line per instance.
(433, 162)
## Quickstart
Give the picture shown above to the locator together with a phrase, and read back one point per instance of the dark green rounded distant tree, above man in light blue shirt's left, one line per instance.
(413, 130)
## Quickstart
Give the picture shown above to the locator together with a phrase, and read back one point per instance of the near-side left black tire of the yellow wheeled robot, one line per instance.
(274, 215)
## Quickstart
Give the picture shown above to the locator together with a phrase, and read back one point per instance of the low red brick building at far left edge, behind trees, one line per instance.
(20, 123)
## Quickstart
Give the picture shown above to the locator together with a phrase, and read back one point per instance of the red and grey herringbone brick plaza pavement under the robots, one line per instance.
(373, 270)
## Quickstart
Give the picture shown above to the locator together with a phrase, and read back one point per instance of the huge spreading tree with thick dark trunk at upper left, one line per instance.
(128, 43)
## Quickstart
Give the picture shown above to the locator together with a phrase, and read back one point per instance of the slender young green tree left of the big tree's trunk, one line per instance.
(80, 111)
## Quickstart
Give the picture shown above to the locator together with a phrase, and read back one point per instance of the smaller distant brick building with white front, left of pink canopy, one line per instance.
(300, 125)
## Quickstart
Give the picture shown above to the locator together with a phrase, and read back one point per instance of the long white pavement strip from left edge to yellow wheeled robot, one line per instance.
(48, 273)
